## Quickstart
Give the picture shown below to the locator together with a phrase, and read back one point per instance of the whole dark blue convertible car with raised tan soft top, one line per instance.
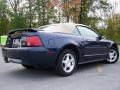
(62, 46)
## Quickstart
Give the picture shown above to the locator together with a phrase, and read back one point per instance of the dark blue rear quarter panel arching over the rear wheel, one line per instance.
(57, 41)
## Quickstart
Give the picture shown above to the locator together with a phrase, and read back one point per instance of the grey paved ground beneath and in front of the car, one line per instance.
(94, 76)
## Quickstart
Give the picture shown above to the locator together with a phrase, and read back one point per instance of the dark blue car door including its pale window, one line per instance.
(94, 48)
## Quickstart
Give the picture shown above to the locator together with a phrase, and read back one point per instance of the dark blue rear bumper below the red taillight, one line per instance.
(37, 56)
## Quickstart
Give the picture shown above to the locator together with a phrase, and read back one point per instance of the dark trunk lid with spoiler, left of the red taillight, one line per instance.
(15, 37)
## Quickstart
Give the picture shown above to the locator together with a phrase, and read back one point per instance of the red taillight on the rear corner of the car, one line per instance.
(33, 41)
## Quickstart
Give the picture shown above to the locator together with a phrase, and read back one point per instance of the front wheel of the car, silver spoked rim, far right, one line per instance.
(113, 56)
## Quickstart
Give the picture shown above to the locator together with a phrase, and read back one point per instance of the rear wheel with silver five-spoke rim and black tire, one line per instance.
(66, 63)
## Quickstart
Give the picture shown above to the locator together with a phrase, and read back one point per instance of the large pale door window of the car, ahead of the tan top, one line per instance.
(86, 32)
